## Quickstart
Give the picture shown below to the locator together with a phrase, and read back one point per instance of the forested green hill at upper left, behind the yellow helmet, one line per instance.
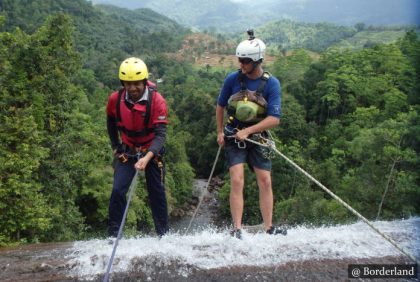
(103, 35)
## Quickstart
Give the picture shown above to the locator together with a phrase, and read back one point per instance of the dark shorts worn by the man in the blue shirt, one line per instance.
(252, 154)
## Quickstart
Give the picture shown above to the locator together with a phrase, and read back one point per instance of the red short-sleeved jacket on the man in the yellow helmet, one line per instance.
(131, 124)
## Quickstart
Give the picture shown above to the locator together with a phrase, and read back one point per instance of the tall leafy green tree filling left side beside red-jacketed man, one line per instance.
(61, 136)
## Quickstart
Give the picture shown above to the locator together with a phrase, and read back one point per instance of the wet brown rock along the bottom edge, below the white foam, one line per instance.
(51, 262)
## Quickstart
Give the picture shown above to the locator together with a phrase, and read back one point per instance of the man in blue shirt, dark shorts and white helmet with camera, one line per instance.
(252, 99)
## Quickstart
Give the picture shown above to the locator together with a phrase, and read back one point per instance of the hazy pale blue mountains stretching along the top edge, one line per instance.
(233, 16)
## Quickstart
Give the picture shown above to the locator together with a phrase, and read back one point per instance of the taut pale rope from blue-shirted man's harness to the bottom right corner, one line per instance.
(270, 146)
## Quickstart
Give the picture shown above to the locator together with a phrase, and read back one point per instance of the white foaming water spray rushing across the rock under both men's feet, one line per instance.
(209, 249)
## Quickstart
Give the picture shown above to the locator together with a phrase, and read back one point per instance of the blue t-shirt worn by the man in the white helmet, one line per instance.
(271, 93)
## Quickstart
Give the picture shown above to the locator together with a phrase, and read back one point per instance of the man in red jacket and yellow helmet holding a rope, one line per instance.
(136, 123)
